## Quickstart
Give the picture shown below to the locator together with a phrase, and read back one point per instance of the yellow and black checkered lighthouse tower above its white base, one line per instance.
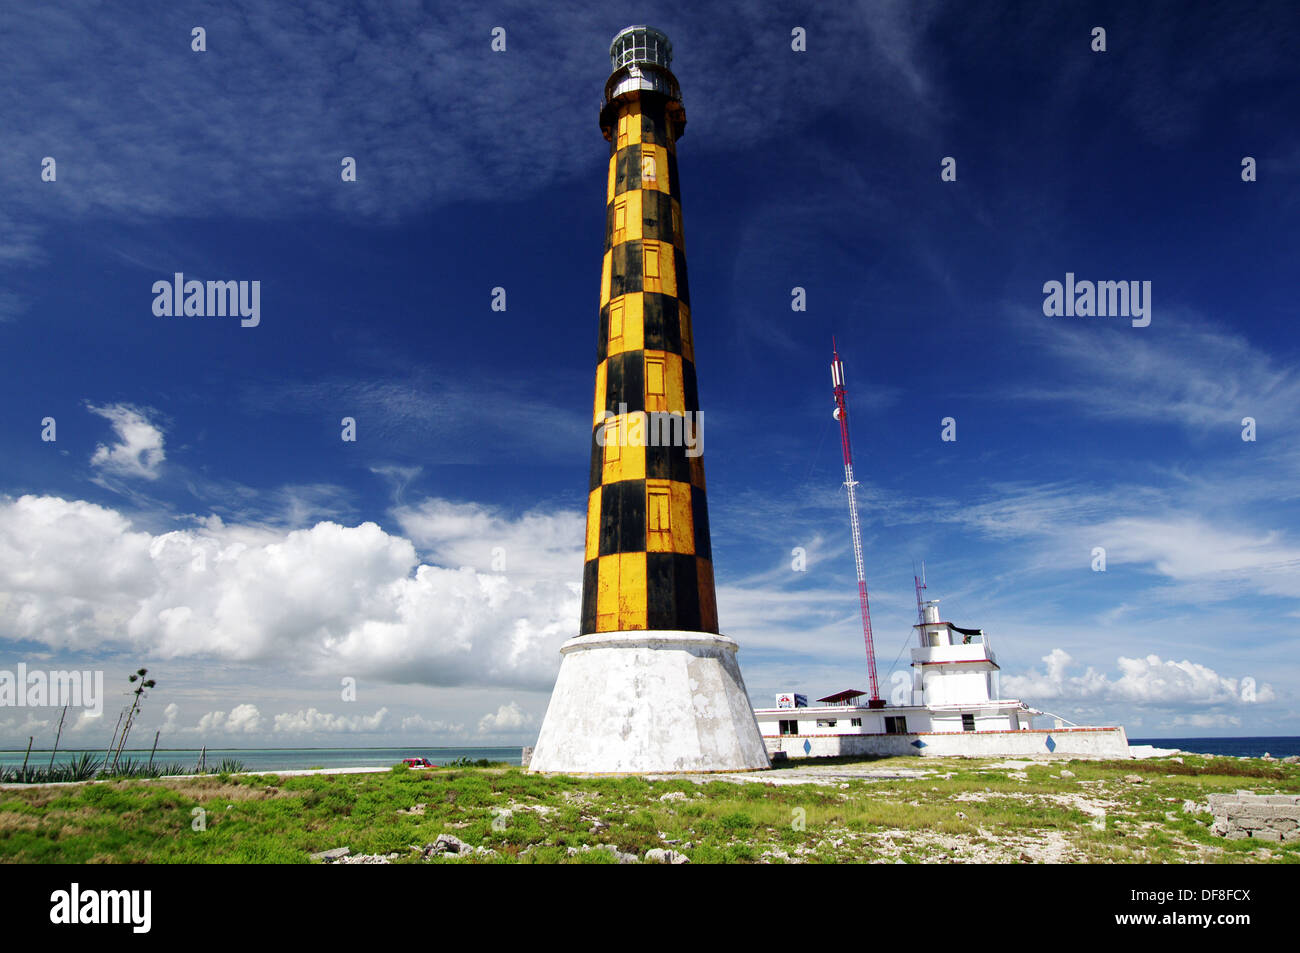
(648, 560)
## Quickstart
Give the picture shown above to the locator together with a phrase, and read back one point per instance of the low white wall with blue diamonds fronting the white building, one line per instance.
(1067, 743)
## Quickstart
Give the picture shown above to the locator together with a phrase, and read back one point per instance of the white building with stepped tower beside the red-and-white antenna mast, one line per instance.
(955, 709)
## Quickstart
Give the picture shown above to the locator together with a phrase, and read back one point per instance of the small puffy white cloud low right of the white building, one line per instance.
(1149, 681)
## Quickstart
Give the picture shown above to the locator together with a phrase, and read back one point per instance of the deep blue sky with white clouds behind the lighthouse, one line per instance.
(194, 509)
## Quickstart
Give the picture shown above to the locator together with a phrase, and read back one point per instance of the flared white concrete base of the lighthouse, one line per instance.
(649, 703)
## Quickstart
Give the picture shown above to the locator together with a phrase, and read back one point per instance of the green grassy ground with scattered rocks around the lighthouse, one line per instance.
(956, 811)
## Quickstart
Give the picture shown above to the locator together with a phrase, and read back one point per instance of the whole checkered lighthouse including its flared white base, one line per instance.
(649, 685)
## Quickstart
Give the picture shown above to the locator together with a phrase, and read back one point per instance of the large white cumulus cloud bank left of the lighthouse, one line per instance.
(327, 599)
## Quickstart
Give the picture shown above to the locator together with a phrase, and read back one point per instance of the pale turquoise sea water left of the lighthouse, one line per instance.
(281, 759)
